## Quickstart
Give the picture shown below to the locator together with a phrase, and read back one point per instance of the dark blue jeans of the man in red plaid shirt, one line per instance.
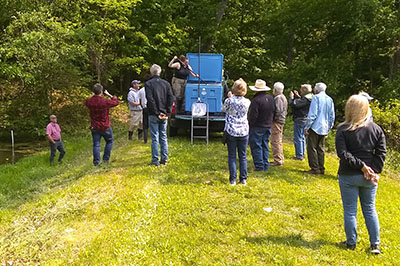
(108, 137)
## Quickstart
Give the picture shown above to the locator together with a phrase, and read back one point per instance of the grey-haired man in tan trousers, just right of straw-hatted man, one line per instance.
(278, 123)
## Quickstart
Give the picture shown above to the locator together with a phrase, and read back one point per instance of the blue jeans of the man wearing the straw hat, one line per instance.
(259, 139)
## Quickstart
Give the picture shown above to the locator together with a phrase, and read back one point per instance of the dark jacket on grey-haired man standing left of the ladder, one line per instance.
(159, 96)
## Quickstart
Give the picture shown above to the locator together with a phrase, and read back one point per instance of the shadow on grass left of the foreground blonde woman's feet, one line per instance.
(293, 240)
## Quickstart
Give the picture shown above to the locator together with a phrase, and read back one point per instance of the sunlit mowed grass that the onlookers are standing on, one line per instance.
(185, 213)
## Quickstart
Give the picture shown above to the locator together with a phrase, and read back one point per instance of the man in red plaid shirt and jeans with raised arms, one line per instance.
(99, 109)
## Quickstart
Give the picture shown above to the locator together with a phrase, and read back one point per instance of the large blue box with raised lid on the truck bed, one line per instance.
(209, 89)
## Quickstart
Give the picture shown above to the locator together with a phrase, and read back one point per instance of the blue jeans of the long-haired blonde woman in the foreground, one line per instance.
(352, 187)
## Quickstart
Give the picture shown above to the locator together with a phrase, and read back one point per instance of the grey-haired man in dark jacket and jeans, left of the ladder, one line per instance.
(159, 103)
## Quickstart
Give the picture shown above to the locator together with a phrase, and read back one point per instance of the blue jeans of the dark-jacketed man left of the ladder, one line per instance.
(158, 132)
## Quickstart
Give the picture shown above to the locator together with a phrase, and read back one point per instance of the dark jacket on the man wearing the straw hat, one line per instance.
(262, 110)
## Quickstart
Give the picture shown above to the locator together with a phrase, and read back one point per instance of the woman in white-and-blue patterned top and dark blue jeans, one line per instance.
(237, 129)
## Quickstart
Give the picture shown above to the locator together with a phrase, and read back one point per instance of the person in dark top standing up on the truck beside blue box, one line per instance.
(182, 71)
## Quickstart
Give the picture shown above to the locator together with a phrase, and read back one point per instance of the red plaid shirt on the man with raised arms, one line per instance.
(99, 109)
